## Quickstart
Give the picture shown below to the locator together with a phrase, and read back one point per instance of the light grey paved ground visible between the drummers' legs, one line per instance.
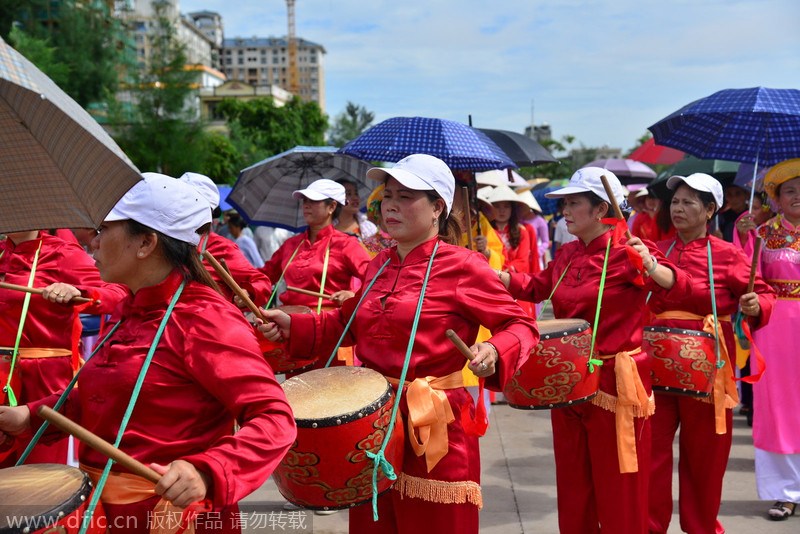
(518, 480)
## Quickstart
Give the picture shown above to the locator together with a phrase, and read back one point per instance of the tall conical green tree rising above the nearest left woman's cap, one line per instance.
(160, 132)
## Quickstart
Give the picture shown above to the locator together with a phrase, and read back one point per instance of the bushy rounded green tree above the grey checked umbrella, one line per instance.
(259, 128)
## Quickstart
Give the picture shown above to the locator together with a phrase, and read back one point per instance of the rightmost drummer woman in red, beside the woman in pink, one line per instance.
(705, 437)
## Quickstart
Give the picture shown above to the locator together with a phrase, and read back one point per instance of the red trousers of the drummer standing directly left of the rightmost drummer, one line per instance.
(593, 496)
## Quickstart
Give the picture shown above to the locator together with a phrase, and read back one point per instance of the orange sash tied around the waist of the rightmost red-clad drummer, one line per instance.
(724, 382)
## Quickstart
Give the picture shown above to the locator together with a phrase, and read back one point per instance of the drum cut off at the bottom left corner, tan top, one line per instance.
(46, 498)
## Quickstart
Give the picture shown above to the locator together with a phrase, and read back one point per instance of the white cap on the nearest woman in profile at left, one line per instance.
(165, 204)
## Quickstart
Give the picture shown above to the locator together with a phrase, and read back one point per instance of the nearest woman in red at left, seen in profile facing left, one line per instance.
(207, 371)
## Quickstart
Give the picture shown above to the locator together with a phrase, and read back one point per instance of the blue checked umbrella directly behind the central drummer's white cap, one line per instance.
(458, 145)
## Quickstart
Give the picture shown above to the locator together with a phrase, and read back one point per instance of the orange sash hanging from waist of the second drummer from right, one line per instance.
(632, 401)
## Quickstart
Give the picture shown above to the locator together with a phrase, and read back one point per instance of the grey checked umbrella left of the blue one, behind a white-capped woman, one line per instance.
(263, 192)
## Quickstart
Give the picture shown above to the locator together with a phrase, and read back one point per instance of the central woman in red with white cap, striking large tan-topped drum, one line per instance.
(438, 490)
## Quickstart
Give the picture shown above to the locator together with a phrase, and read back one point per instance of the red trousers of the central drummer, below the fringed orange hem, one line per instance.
(398, 515)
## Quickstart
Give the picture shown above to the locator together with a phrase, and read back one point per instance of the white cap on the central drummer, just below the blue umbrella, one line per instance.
(420, 172)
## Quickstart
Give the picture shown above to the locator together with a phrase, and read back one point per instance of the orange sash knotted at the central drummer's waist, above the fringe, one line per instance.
(429, 413)
